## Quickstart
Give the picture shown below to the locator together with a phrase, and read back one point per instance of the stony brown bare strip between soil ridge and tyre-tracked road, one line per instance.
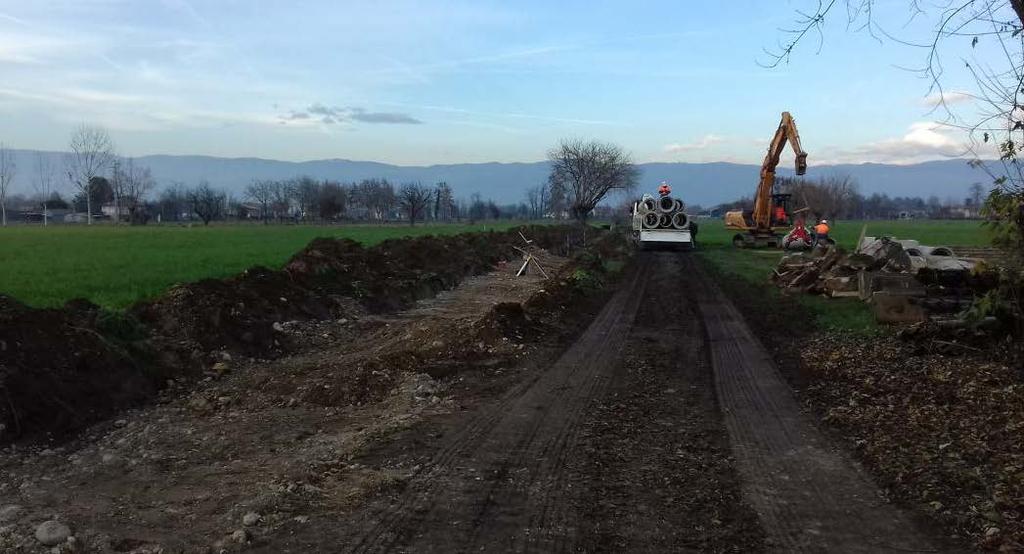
(278, 437)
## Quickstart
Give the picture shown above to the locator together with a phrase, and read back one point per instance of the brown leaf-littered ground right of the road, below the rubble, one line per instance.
(944, 433)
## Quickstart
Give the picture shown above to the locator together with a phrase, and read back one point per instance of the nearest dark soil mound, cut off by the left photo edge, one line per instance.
(64, 369)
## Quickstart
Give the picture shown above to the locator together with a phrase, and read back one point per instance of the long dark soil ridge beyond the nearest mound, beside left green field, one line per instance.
(322, 282)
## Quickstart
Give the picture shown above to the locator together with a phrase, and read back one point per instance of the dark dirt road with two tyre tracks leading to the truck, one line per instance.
(620, 446)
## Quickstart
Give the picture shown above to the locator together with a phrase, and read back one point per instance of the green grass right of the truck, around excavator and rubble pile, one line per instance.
(754, 267)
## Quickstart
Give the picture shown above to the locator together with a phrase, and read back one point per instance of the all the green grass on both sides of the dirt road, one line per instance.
(117, 267)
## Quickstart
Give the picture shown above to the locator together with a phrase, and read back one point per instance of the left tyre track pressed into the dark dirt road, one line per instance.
(499, 485)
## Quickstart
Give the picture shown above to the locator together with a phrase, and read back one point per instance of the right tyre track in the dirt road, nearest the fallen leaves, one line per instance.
(809, 497)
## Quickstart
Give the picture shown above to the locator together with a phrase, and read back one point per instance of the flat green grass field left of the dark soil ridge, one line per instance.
(116, 267)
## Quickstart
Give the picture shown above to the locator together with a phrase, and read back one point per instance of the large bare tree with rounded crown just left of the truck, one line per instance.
(587, 172)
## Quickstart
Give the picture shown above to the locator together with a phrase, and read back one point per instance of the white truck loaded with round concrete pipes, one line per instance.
(663, 223)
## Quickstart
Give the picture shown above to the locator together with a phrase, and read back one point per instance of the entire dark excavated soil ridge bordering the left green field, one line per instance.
(64, 369)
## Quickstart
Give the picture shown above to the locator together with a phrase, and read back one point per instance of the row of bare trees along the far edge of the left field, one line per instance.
(583, 174)
